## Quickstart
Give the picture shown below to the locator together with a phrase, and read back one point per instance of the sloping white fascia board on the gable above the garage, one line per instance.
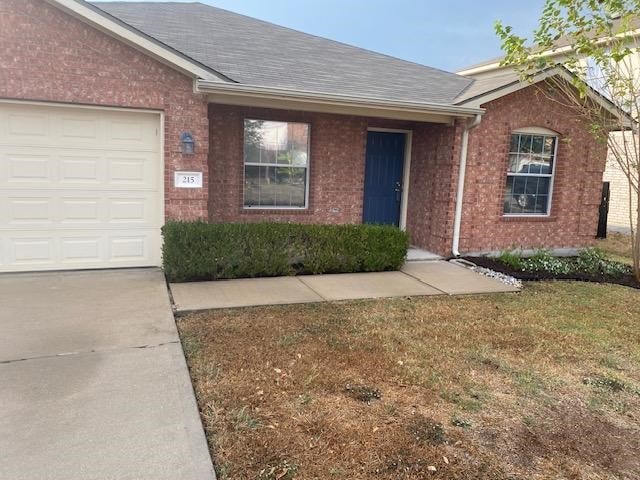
(130, 36)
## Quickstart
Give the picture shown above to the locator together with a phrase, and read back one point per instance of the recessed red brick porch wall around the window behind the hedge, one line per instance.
(337, 160)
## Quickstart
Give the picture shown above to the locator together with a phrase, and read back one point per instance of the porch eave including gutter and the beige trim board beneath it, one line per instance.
(282, 98)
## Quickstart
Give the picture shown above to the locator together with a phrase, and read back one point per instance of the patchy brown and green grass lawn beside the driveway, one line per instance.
(540, 384)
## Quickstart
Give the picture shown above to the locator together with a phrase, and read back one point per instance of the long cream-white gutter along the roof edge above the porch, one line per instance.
(236, 89)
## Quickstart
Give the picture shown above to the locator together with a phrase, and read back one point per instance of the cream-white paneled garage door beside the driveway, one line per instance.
(79, 188)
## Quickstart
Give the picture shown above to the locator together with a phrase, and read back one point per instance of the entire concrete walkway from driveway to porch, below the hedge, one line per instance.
(415, 279)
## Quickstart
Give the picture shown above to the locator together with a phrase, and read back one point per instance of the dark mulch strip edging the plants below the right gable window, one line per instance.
(627, 280)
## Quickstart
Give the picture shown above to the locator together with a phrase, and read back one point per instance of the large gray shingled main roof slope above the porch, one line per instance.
(254, 52)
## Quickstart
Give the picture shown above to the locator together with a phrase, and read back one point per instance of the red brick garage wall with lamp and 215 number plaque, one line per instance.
(47, 55)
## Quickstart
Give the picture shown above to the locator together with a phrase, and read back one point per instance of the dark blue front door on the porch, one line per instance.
(383, 178)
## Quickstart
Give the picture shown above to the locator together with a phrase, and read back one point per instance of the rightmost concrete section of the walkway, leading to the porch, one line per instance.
(454, 279)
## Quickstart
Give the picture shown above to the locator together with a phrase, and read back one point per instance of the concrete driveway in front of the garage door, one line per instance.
(93, 380)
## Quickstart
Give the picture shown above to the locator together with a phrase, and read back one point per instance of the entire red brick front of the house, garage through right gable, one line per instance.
(50, 56)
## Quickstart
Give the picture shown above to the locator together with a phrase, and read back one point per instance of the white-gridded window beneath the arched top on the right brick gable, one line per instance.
(530, 174)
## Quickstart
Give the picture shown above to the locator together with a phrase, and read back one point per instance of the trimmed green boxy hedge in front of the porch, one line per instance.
(202, 251)
